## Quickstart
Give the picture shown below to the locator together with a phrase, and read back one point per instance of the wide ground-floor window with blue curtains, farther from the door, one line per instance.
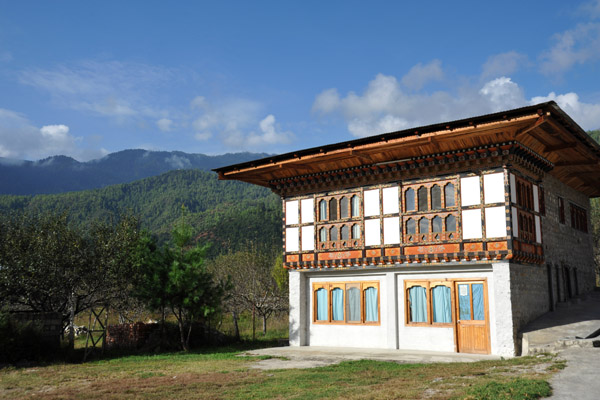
(346, 302)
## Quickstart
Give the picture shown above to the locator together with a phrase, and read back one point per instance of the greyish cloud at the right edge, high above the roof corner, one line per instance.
(574, 46)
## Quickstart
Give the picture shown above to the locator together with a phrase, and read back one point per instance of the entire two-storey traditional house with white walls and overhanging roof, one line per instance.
(448, 237)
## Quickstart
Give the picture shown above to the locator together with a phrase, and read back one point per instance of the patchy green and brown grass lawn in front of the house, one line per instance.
(222, 374)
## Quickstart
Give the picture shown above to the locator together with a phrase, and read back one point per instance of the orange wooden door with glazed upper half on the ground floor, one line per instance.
(472, 322)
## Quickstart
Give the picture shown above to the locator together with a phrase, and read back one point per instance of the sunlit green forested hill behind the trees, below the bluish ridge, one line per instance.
(226, 213)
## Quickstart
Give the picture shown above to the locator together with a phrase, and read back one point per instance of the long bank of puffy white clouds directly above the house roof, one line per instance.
(384, 107)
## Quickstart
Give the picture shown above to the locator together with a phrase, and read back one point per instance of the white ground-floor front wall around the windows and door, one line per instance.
(393, 332)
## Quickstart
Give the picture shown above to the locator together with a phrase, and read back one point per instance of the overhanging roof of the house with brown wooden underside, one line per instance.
(544, 128)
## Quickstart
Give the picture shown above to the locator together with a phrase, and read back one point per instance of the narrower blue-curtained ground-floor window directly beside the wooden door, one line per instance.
(428, 302)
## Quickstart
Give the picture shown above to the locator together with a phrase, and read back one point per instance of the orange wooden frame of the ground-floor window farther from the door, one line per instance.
(344, 285)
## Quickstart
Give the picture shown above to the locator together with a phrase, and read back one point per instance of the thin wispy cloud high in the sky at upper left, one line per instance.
(109, 88)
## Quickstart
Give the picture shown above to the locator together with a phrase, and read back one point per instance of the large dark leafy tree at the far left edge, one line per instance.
(49, 265)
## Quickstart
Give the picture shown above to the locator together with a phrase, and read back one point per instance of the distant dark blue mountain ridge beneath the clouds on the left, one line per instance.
(59, 174)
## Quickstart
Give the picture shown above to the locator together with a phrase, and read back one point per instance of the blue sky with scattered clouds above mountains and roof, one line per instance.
(84, 79)
